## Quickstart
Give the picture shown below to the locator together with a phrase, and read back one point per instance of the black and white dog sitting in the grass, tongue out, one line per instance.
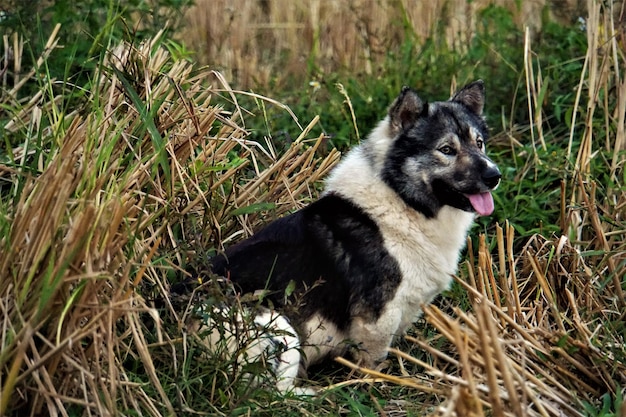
(352, 270)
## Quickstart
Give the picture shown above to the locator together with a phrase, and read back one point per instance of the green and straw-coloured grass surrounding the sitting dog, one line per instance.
(123, 162)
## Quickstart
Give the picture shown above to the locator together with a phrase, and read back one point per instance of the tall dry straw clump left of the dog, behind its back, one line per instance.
(155, 159)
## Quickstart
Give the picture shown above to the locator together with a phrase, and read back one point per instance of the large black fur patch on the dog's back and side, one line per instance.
(331, 250)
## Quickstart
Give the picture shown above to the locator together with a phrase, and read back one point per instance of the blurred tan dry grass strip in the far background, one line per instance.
(267, 42)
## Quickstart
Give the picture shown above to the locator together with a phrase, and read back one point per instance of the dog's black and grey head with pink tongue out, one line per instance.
(436, 155)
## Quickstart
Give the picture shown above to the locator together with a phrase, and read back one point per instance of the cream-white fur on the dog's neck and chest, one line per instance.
(426, 249)
